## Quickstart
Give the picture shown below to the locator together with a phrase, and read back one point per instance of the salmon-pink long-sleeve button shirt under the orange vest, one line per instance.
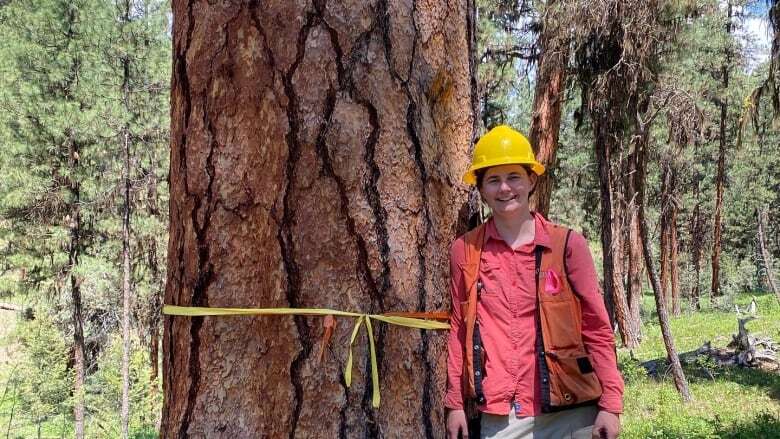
(506, 313)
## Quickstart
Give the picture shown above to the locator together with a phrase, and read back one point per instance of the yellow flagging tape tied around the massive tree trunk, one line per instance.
(193, 311)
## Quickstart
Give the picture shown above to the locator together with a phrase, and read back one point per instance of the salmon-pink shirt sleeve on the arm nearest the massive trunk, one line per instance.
(457, 335)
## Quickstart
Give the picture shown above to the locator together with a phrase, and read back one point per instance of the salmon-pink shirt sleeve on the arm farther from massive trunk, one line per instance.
(596, 331)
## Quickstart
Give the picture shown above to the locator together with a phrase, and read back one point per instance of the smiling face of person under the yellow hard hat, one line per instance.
(505, 189)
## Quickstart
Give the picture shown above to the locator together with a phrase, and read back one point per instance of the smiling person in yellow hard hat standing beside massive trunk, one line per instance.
(530, 342)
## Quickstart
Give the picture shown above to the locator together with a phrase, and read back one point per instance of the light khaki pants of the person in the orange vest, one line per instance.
(568, 424)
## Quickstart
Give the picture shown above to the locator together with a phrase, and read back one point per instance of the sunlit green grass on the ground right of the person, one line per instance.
(727, 402)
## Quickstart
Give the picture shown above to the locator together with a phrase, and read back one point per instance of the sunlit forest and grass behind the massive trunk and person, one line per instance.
(84, 132)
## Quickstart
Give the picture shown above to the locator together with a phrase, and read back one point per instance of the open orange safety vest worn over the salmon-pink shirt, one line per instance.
(568, 379)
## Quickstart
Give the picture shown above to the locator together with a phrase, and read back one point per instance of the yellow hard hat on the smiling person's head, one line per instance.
(502, 146)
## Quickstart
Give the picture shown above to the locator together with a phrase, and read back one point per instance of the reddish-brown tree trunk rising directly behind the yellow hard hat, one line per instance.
(548, 99)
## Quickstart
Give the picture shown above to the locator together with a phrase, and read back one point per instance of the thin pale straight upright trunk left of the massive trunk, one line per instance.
(126, 208)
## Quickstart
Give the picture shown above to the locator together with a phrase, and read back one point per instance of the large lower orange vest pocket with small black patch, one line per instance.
(572, 379)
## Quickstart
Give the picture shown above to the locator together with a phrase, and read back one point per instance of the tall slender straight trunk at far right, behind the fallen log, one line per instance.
(720, 178)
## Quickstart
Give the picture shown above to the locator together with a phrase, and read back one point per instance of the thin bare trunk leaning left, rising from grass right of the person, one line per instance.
(663, 318)
